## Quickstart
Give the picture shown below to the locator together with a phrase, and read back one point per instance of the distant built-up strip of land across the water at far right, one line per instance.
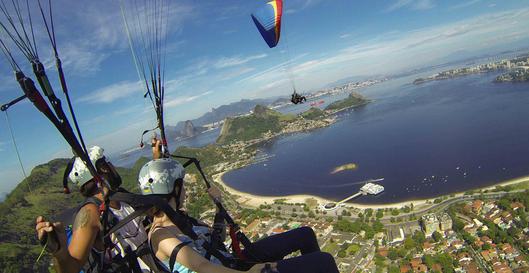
(517, 67)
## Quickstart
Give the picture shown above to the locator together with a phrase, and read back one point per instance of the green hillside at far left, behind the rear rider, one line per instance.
(19, 247)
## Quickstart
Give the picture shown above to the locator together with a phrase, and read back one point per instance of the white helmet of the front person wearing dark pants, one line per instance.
(159, 176)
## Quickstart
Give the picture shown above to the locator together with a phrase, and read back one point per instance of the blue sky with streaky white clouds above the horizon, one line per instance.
(216, 56)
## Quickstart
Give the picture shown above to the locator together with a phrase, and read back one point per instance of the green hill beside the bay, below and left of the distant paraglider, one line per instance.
(252, 126)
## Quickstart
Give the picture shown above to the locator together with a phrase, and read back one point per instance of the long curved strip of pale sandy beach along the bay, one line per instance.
(257, 200)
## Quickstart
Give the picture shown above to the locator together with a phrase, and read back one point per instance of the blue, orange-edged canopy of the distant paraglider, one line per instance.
(268, 21)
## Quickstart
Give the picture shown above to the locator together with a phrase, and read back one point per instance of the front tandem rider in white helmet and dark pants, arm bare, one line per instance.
(179, 253)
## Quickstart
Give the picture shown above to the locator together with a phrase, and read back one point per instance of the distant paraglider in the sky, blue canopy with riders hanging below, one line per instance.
(267, 19)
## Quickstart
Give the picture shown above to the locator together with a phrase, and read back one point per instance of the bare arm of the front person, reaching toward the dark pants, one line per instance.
(164, 243)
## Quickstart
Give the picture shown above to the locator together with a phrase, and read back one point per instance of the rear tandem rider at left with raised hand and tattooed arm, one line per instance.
(87, 247)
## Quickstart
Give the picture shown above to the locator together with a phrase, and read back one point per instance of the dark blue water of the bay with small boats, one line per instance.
(424, 140)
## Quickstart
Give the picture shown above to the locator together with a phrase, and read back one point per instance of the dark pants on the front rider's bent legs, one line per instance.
(274, 248)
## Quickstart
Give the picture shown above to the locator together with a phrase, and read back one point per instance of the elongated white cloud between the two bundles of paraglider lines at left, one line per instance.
(113, 92)
